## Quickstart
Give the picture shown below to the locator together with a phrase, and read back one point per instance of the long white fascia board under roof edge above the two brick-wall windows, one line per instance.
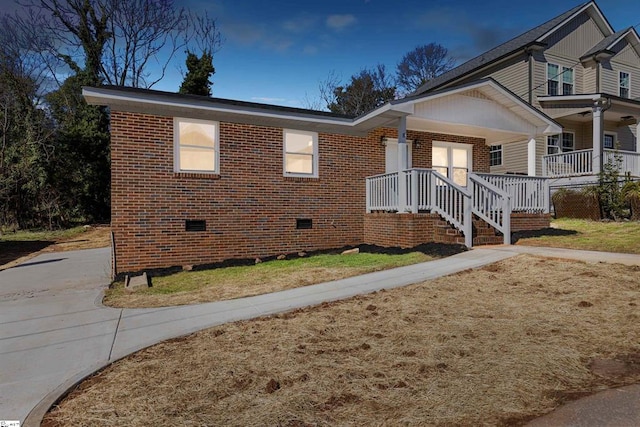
(99, 95)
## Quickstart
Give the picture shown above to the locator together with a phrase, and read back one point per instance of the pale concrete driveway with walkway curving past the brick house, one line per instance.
(52, 336)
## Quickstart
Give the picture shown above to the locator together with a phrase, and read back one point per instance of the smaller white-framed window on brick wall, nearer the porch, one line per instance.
(300, 152)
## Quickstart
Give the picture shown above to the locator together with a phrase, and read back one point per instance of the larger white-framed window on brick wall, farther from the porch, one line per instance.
(196, 145)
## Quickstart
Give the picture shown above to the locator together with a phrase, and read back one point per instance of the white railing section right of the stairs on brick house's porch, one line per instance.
(527, 193)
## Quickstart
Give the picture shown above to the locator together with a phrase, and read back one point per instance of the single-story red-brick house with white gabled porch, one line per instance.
(198, 180)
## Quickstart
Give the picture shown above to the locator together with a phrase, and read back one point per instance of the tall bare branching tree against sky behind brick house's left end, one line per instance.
(120, 42)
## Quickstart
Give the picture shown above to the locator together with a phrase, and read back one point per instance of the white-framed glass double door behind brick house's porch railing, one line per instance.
(452, 160)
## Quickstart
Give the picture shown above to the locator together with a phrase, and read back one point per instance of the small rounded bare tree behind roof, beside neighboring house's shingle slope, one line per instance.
(421, 65)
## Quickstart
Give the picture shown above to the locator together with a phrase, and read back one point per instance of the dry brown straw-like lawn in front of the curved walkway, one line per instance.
(496, 345)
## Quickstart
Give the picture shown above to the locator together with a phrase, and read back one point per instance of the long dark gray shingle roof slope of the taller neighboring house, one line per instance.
(498, 52)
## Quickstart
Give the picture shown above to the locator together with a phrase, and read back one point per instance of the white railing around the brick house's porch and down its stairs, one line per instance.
(427, 190)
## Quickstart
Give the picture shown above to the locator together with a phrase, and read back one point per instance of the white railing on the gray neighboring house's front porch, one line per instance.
(580, 162)
